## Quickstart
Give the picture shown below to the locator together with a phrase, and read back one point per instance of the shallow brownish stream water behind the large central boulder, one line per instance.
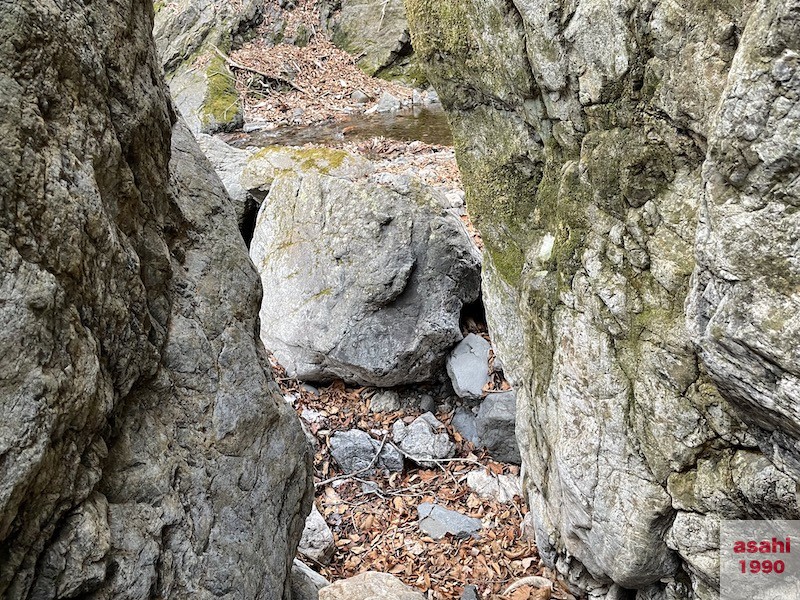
(427, 125)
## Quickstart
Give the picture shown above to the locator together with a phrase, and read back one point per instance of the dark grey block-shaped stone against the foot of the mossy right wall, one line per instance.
(496, 426)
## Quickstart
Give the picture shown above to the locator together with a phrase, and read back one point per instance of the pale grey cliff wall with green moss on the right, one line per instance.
(605, 146)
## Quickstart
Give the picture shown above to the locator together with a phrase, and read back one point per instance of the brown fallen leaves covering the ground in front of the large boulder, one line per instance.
(374, 517)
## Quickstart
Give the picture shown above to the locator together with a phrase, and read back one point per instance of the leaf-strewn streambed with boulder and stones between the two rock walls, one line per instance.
(371, 280)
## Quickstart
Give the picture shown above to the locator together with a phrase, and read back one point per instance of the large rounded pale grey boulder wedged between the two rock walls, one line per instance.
(361, 282)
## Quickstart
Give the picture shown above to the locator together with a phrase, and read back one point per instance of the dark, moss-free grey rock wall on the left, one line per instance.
(142, 437)
